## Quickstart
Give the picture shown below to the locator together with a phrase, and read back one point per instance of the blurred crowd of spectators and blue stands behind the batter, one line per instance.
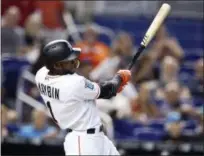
(160, 112)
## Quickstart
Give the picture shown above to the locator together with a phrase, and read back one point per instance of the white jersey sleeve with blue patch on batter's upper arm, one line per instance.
(87, 89)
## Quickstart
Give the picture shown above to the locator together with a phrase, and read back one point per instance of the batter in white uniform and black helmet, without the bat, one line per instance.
(71, 98)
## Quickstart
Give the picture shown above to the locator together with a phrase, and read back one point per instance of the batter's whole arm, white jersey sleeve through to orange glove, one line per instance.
(88, 90)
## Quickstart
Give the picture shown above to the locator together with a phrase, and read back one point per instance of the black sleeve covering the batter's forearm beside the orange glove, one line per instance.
(109, 88)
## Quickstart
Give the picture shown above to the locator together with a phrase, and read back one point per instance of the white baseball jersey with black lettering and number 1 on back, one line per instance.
(70, 99)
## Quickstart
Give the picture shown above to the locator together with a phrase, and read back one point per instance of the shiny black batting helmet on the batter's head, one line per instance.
(59, 50)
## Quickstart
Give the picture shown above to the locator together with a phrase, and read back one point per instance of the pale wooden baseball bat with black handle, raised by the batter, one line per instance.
(156, 23)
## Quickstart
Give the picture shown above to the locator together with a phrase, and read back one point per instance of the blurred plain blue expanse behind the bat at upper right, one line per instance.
(182, 29)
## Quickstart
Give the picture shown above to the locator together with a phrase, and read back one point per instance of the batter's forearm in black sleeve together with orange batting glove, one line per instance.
(109, 89)
